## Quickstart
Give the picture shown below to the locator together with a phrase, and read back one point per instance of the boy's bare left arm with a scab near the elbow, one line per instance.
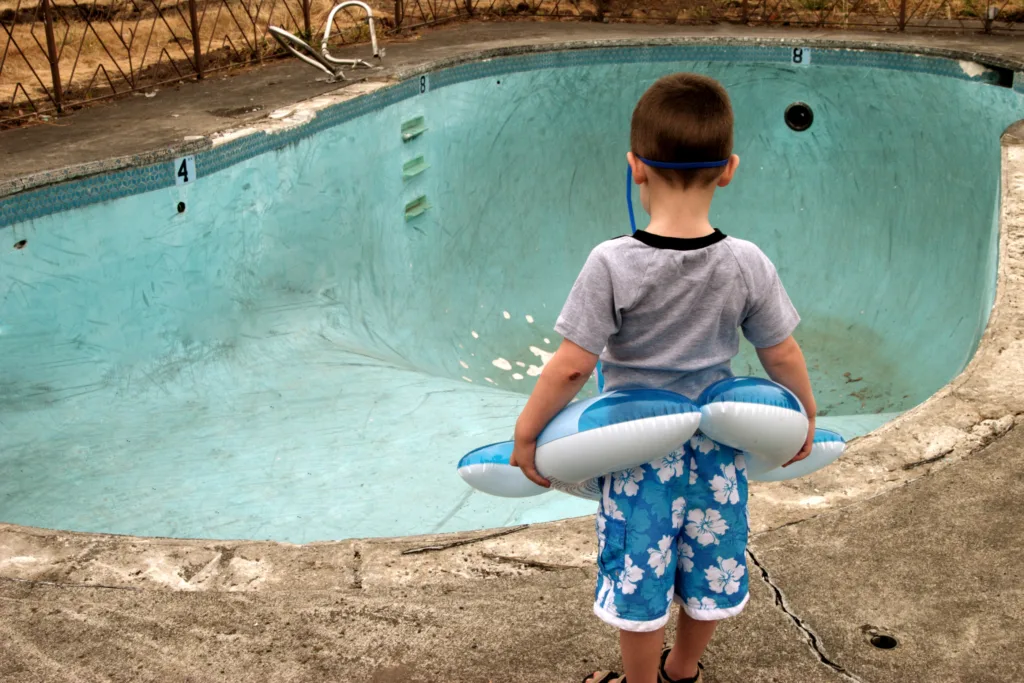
(562, 379)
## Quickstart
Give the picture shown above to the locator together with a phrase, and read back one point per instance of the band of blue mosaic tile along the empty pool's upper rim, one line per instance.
(78, 194)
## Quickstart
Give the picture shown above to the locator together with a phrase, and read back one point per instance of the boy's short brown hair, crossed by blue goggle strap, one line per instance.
(684, 118)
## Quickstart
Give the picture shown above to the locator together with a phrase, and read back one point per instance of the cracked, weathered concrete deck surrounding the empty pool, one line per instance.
(913, 534)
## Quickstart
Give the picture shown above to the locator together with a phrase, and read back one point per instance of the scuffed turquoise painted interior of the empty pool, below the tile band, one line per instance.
(293, 358)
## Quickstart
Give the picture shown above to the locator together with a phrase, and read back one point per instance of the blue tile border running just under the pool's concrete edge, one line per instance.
(155, 170)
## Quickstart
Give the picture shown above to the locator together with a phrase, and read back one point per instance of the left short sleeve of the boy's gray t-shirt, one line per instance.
(591, 316)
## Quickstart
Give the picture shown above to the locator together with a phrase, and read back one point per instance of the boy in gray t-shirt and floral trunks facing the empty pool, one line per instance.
(662, 310)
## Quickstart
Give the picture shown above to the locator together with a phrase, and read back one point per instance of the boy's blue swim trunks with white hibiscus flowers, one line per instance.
(674, 529)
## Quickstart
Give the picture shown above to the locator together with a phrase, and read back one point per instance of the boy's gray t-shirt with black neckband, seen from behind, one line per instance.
(665, 313)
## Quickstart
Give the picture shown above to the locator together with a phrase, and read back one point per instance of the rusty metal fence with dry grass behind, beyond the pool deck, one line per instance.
(57, 55)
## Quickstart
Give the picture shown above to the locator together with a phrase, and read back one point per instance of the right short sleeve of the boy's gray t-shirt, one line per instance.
(771, 317)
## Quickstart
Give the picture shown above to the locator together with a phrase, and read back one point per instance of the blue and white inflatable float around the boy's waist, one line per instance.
(623, 430)
